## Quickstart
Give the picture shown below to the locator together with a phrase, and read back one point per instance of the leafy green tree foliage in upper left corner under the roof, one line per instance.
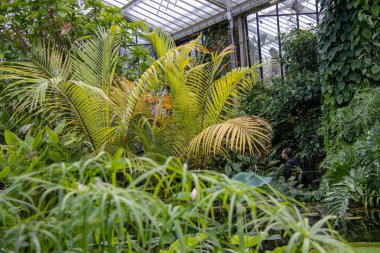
(23, 22)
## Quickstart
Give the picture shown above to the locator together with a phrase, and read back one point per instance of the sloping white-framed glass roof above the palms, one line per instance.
(183, 17)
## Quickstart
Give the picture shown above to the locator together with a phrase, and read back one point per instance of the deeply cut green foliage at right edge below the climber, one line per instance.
(353, 164)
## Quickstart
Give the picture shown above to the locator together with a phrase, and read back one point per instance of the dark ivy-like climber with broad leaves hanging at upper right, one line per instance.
(349, 46)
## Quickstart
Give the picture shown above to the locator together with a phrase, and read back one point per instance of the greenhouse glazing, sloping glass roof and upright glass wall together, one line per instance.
(254, 26)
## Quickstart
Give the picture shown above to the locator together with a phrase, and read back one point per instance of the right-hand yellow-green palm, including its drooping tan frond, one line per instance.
(203, 119)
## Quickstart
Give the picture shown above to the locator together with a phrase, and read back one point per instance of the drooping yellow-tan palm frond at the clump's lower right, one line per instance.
(244, 135)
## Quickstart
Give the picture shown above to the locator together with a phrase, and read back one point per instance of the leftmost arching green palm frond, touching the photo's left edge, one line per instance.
(33, 80)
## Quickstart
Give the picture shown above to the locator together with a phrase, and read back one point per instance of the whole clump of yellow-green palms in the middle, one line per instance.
(82, 88)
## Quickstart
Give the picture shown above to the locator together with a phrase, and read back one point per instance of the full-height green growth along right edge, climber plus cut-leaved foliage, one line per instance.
(348, 40)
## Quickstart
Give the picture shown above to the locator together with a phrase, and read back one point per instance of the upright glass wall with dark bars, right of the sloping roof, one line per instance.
(265, 27)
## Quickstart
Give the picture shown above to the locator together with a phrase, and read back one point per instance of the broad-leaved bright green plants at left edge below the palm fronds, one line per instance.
(38, 149)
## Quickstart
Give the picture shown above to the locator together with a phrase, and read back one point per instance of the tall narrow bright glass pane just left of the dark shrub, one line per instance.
(269, 46)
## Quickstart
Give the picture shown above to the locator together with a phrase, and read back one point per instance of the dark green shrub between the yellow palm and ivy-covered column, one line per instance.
(292, 105)
